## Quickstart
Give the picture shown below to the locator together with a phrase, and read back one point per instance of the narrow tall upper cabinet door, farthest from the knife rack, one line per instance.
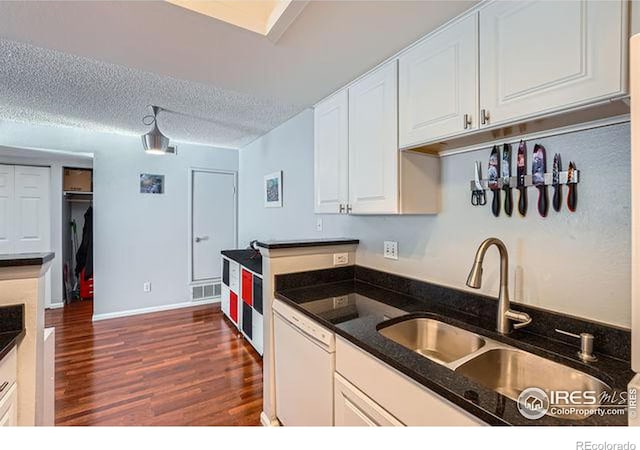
(331, 154)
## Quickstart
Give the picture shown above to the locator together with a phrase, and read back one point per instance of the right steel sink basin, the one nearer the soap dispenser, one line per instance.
(509, 372)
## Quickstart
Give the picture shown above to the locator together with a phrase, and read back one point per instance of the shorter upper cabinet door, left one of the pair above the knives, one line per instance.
(438, 85)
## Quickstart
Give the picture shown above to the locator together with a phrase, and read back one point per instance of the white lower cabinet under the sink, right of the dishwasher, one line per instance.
(379, 394)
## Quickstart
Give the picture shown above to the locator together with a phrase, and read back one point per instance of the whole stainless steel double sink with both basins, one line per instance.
(497, 366)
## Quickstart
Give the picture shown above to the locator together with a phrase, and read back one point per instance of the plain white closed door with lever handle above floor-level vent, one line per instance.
(213, 221)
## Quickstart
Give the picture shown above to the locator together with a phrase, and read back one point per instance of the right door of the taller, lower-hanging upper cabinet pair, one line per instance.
(373, 142)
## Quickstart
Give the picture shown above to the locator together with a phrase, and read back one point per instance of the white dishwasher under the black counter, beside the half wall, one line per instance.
(304, 366)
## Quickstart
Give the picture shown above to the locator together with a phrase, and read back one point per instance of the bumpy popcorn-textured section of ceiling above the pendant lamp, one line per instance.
(47, 86)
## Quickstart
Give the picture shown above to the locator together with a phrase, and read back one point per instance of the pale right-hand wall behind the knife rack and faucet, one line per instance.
(578, 263)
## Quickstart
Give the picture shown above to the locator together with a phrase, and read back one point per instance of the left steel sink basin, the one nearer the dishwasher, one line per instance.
(436, 340)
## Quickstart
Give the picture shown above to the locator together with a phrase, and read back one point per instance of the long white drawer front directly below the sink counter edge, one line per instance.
(408, 401)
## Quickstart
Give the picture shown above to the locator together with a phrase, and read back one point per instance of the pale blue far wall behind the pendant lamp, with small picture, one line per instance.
(137, 237)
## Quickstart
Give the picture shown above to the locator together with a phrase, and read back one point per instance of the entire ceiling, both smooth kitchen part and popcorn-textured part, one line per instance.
(97, 64)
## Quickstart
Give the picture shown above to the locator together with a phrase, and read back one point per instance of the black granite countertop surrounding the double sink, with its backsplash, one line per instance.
(485, 403)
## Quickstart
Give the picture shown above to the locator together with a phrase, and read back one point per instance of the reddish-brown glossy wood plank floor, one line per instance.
(181, 367)
